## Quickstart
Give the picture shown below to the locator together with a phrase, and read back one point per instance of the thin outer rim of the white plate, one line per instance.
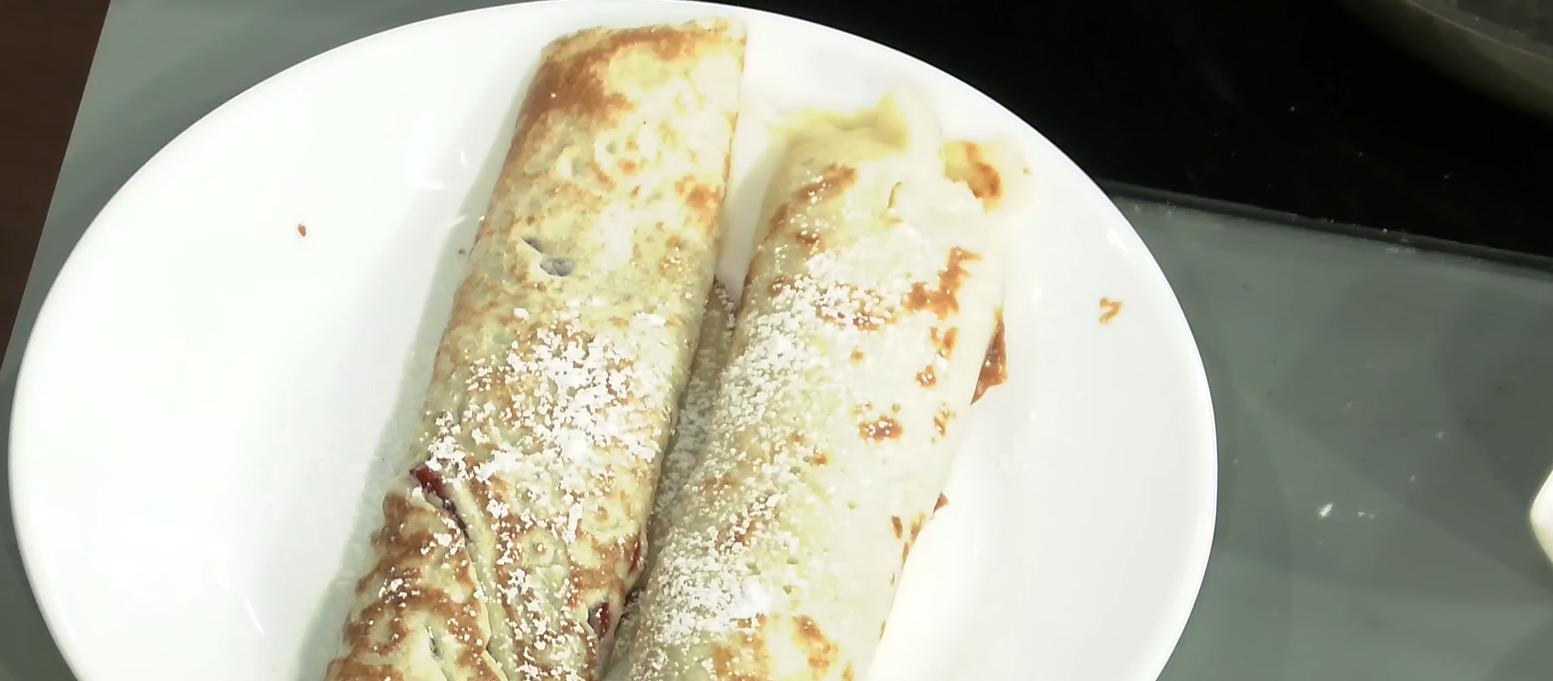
(27, 506)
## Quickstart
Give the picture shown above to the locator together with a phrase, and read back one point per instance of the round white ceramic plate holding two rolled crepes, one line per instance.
(209, 398)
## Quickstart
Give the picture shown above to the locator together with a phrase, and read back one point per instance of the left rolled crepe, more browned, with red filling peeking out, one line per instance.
(512, 542)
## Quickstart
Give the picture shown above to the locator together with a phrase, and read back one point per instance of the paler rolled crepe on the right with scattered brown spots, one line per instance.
(864, 328)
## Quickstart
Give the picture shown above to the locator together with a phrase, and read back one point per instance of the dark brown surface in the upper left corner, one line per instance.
(47, 49)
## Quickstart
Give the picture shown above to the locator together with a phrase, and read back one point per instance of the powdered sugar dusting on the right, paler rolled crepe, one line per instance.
(731, 559)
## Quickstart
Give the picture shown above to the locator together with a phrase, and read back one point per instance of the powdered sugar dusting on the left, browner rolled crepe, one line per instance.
(547, 426)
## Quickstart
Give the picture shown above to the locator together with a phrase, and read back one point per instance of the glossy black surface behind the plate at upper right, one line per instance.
(1282, 105)
